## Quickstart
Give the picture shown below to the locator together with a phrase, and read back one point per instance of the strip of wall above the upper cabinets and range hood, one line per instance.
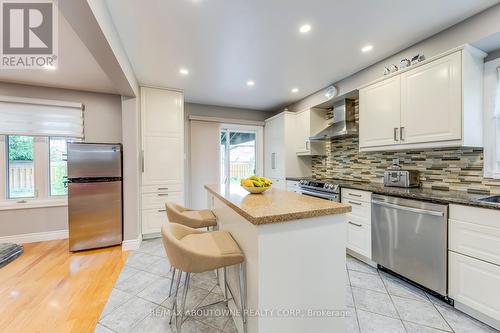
(469, 31)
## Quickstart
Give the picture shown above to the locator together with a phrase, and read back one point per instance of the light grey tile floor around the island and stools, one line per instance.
(377, 301)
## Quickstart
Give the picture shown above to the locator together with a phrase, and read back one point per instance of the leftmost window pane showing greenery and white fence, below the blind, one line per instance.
(21, 169)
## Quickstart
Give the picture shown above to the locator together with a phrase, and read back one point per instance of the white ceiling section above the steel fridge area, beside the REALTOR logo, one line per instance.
(77, 68)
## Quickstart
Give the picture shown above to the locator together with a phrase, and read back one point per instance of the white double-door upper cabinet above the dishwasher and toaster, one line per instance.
(436, 103)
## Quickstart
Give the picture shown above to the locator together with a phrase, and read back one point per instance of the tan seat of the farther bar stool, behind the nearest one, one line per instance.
(190, 217)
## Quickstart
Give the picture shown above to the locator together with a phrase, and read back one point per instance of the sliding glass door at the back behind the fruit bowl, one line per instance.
(239, 153)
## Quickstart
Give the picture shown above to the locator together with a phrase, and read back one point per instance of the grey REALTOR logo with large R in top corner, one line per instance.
(29, 34)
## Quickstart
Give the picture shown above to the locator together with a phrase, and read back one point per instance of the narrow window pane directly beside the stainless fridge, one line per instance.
(58, 171)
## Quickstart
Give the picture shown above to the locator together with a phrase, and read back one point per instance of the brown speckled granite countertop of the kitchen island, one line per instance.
(275, 205)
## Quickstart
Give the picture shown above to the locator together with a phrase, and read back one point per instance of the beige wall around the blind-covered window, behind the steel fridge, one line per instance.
(103, 123)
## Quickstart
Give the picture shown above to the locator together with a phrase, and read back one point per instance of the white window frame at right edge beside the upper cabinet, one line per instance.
(491, 135)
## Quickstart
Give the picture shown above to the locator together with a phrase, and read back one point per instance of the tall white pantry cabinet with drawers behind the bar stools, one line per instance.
(162, 124)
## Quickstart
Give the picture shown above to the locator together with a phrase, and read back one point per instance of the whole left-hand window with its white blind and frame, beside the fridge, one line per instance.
(33, 138)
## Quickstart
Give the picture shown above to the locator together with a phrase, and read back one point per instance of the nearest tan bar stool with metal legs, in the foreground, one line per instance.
(195, 251)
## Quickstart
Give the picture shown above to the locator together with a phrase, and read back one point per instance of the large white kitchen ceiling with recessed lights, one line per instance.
(226, 43)
